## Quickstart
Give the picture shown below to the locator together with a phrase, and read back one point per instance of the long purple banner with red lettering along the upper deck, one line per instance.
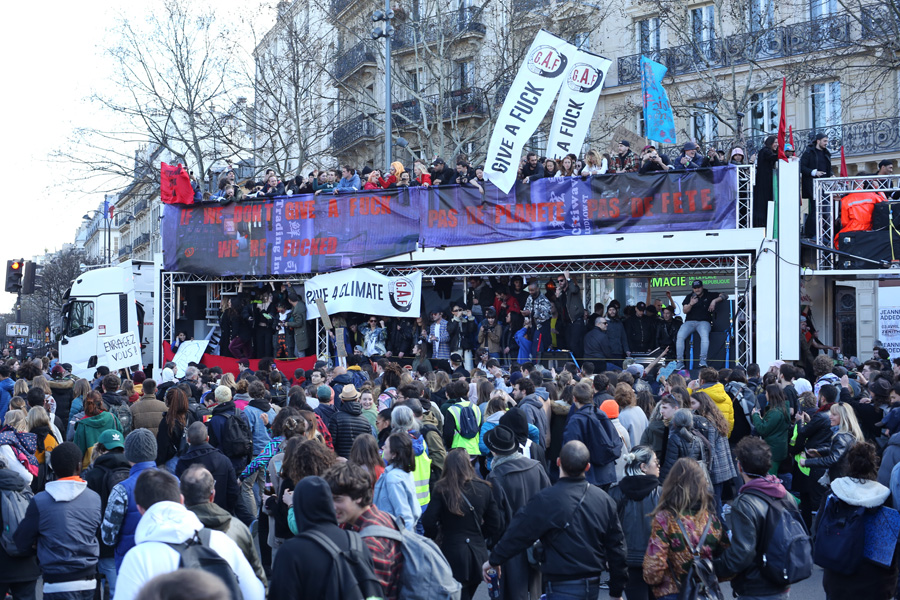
(315, 234)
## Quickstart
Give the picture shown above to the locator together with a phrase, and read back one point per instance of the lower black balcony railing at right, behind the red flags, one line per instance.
(876, 136)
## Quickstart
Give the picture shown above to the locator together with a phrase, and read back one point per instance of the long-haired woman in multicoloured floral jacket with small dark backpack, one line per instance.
(684, 519)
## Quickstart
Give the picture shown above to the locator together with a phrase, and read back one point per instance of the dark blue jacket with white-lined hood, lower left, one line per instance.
(63, 522)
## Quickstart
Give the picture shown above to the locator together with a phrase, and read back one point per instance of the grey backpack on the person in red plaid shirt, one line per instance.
(426, 573)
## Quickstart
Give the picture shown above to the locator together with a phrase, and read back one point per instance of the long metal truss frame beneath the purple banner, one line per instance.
(740, 266)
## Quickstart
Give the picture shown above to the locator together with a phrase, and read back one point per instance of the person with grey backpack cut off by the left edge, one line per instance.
(19, 572)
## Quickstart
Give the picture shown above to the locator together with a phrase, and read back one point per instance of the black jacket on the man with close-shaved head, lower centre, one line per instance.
(592, 542)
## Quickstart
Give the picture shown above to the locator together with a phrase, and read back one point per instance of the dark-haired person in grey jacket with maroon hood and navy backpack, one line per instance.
(765, 524)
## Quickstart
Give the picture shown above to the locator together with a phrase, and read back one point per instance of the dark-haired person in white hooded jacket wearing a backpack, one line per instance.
(172, 537)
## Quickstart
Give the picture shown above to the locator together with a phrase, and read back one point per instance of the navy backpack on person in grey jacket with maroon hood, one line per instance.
(786, 546)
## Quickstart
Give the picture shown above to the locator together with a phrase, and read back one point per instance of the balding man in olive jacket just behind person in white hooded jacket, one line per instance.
(198, 486)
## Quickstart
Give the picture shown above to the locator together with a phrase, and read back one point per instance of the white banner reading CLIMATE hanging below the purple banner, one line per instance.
(364, 291)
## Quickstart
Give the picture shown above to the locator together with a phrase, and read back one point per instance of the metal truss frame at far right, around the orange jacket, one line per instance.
(828, 193)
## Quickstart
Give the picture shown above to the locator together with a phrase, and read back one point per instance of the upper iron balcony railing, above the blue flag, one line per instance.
(828, 33)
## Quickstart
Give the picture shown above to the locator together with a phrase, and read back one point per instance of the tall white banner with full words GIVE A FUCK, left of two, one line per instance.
(528, 100)
